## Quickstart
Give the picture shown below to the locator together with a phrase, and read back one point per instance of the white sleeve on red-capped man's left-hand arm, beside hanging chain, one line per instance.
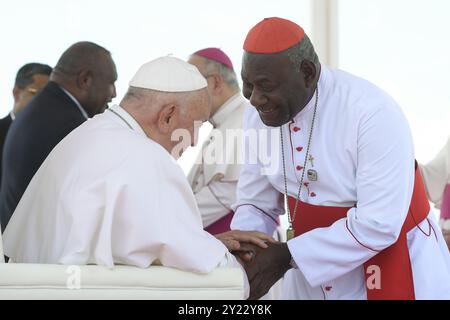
(258, 203)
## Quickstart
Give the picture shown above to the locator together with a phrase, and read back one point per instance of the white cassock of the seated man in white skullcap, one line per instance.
(109, 195)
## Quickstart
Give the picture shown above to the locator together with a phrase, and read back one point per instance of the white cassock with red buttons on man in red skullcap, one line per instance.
(363, 153)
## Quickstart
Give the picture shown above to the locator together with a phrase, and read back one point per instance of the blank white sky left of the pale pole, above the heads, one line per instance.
(135, 31)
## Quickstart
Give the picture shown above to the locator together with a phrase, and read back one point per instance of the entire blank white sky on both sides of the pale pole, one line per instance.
(401, 45)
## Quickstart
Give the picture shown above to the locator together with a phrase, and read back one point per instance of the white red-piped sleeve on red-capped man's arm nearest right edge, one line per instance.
(384, 184)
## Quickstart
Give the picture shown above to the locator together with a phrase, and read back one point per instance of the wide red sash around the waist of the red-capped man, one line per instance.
(393, 262)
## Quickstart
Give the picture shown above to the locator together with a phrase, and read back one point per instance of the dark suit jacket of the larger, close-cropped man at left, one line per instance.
(37, 129)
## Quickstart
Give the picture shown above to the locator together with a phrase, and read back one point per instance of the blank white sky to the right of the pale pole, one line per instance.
(403, 47)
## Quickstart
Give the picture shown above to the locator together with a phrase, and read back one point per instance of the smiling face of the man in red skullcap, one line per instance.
(274, 87)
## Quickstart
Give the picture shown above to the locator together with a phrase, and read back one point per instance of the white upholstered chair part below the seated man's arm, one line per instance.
(45, 281)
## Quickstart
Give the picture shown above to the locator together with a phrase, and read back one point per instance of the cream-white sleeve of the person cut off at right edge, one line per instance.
(436, 174)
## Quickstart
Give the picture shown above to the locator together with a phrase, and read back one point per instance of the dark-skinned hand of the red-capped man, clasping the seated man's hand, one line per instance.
(264, 267)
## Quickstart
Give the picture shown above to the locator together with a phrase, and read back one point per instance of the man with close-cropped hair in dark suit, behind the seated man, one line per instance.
(80, 86)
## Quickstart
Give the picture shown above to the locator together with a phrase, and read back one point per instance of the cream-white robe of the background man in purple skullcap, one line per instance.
(215, 174)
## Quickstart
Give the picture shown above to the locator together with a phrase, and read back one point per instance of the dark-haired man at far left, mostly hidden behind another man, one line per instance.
(30, 78)
